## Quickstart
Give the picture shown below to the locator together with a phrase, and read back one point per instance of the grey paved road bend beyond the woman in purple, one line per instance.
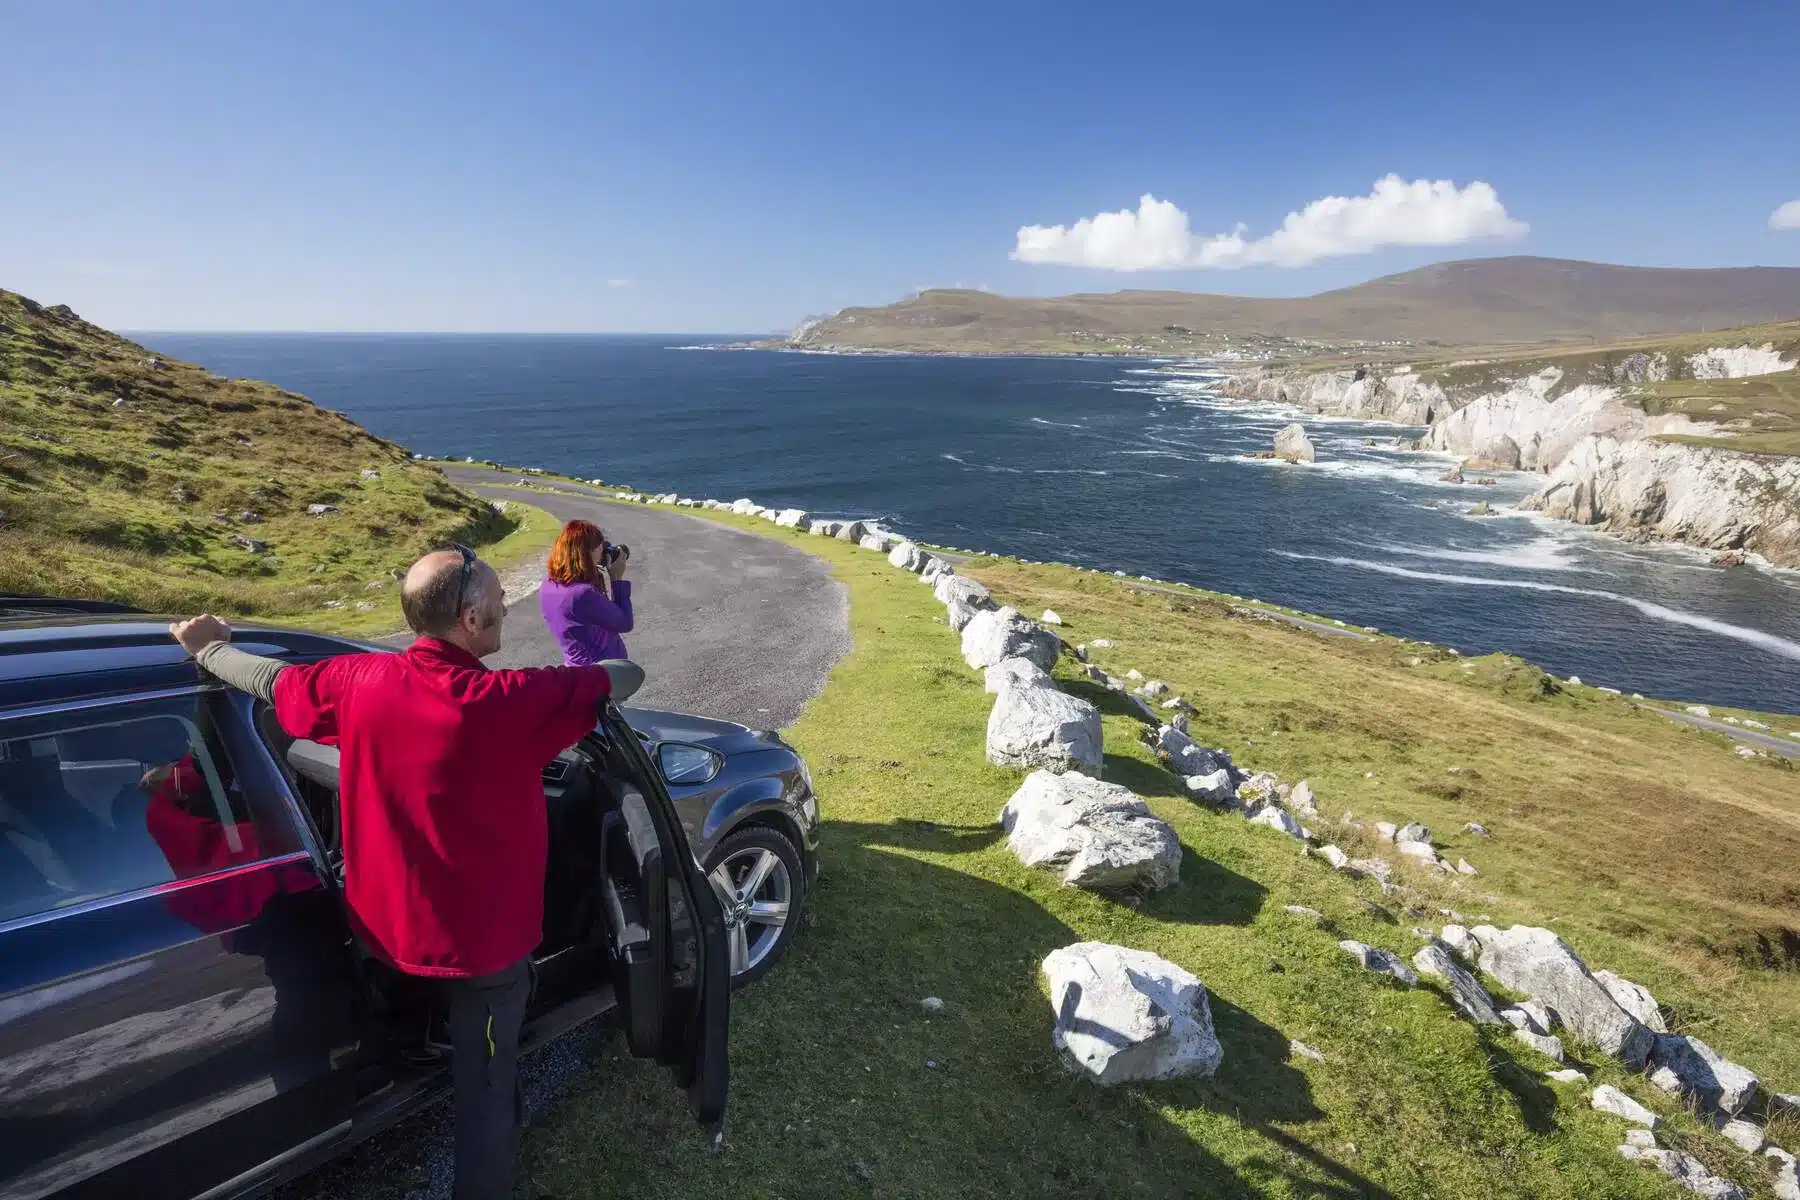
(730, 625)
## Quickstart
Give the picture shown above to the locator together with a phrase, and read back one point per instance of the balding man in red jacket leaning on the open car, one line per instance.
(445, 832)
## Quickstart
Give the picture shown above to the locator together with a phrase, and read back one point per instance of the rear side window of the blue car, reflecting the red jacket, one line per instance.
(112, 800)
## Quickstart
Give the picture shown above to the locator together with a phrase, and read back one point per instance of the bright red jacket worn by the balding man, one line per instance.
(442, 794)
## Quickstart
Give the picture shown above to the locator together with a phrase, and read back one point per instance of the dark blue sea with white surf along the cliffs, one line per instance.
(1119, 465)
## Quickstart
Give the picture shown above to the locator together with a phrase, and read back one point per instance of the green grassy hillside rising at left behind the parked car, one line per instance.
(132, 478)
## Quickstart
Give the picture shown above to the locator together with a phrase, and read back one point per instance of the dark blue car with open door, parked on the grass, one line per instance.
(183, 1010)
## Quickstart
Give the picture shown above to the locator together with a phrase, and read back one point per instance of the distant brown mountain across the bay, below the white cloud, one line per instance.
(1507, 301)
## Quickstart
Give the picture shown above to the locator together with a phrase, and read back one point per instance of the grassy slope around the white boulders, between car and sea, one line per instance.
(838, 1075)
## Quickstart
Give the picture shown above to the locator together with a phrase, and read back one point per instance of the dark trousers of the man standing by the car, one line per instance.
(485, 1019)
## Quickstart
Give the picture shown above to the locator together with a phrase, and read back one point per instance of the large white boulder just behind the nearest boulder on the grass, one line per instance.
(1097, 834)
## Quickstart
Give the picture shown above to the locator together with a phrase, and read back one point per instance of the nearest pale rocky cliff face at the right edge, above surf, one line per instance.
(1644, 488)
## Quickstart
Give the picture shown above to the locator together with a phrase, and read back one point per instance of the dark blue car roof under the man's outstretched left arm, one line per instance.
(53, 652)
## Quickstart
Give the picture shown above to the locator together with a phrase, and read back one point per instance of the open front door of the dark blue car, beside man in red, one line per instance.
(667, 936)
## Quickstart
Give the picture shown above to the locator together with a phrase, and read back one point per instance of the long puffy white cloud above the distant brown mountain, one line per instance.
(1425, 213)
